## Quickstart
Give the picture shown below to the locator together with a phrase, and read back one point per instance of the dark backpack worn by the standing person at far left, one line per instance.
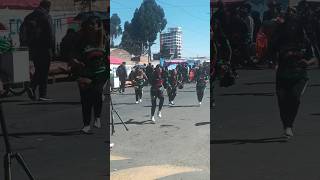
(28, 31)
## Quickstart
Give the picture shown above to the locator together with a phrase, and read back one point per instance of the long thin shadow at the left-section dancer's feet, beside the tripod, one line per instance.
(57, 133)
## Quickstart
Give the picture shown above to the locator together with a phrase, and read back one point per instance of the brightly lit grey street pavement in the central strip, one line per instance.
(176, 147)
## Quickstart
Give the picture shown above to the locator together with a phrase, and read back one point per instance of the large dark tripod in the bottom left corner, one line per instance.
(9, 154)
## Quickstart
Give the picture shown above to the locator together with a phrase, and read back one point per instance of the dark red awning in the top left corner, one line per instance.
(19, 4)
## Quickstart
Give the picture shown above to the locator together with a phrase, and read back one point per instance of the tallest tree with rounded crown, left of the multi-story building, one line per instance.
(147, 22)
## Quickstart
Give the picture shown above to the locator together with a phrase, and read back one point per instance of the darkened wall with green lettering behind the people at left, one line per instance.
(62, 12)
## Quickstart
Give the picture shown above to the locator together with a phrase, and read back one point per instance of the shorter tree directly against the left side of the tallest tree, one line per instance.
(127, 43)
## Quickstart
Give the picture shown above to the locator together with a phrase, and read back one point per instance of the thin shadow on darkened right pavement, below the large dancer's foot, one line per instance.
(249, 141)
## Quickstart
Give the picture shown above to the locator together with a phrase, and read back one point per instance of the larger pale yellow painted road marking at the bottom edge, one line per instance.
(150, 172)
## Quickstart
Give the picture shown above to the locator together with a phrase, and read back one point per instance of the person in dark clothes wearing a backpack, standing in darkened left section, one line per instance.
(41, 48)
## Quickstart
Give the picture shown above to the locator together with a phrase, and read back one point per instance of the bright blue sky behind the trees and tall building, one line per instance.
(193, 16)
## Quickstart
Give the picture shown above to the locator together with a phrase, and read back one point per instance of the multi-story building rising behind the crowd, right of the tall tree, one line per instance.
(172, 40)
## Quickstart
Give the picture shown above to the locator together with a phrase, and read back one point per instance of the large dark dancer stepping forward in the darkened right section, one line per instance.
(293, 48)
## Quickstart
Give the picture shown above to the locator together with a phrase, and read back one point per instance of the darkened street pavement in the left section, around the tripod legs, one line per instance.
(47, 135)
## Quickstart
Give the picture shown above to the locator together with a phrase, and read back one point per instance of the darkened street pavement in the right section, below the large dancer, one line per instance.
(246, 132)
